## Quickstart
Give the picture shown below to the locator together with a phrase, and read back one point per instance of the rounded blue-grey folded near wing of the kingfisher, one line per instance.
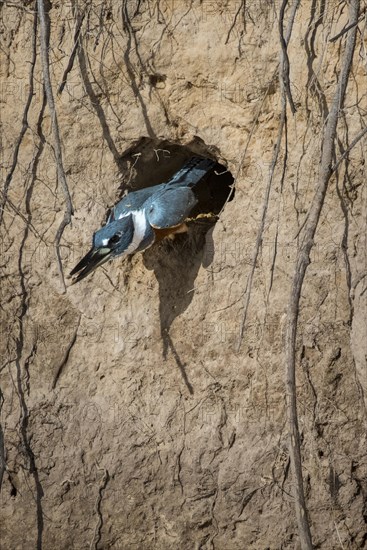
(170, 207)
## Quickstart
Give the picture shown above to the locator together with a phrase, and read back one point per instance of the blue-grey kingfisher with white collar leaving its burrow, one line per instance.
(146, 216)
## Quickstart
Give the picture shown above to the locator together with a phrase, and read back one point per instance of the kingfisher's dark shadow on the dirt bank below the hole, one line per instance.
(176, 264)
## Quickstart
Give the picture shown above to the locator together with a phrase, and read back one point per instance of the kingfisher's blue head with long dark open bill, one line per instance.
(108, 242)
